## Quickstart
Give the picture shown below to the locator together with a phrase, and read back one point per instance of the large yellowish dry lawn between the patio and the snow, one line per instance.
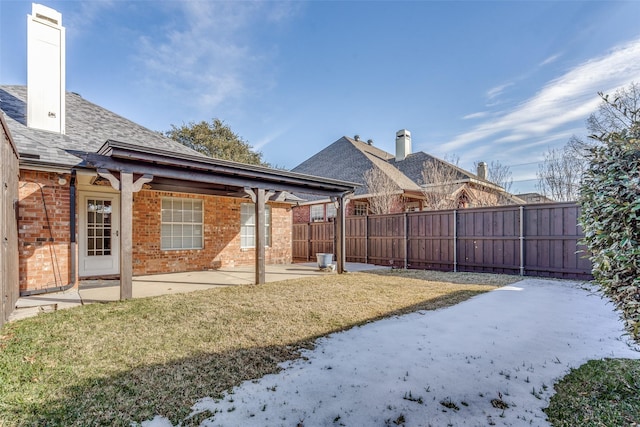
(112, 364)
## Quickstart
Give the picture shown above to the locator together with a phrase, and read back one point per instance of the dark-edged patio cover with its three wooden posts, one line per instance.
(129, 167)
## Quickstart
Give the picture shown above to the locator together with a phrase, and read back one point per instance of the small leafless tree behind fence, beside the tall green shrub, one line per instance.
(560, 174)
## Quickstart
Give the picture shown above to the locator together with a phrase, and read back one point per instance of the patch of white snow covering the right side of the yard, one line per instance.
(496, 365)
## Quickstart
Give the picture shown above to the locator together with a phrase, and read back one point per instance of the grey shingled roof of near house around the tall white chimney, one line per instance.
(88, 127)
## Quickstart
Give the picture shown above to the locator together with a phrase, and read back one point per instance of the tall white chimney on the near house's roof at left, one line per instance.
(45, 69)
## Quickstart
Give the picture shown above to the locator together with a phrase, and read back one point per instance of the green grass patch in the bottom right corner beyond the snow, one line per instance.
(598, 393)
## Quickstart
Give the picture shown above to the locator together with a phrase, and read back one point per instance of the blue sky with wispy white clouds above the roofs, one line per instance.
(482, 80)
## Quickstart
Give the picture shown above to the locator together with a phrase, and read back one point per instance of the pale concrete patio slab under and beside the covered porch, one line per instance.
(102, 291)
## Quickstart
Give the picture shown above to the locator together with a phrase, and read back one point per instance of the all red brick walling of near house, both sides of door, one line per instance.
(44, 234)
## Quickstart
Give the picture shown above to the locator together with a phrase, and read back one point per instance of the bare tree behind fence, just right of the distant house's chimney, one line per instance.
(440, 184)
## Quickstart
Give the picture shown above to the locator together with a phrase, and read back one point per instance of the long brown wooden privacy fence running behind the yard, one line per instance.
(534, 240)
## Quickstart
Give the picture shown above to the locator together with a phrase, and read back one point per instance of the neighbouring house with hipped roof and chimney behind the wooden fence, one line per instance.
(350, 158)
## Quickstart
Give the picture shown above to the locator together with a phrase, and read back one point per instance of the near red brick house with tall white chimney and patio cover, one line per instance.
(100, 196)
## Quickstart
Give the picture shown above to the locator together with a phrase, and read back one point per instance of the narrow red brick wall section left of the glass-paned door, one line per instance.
(43, 230)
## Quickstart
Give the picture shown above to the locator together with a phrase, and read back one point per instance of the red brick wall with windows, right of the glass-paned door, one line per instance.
(221, 236)
